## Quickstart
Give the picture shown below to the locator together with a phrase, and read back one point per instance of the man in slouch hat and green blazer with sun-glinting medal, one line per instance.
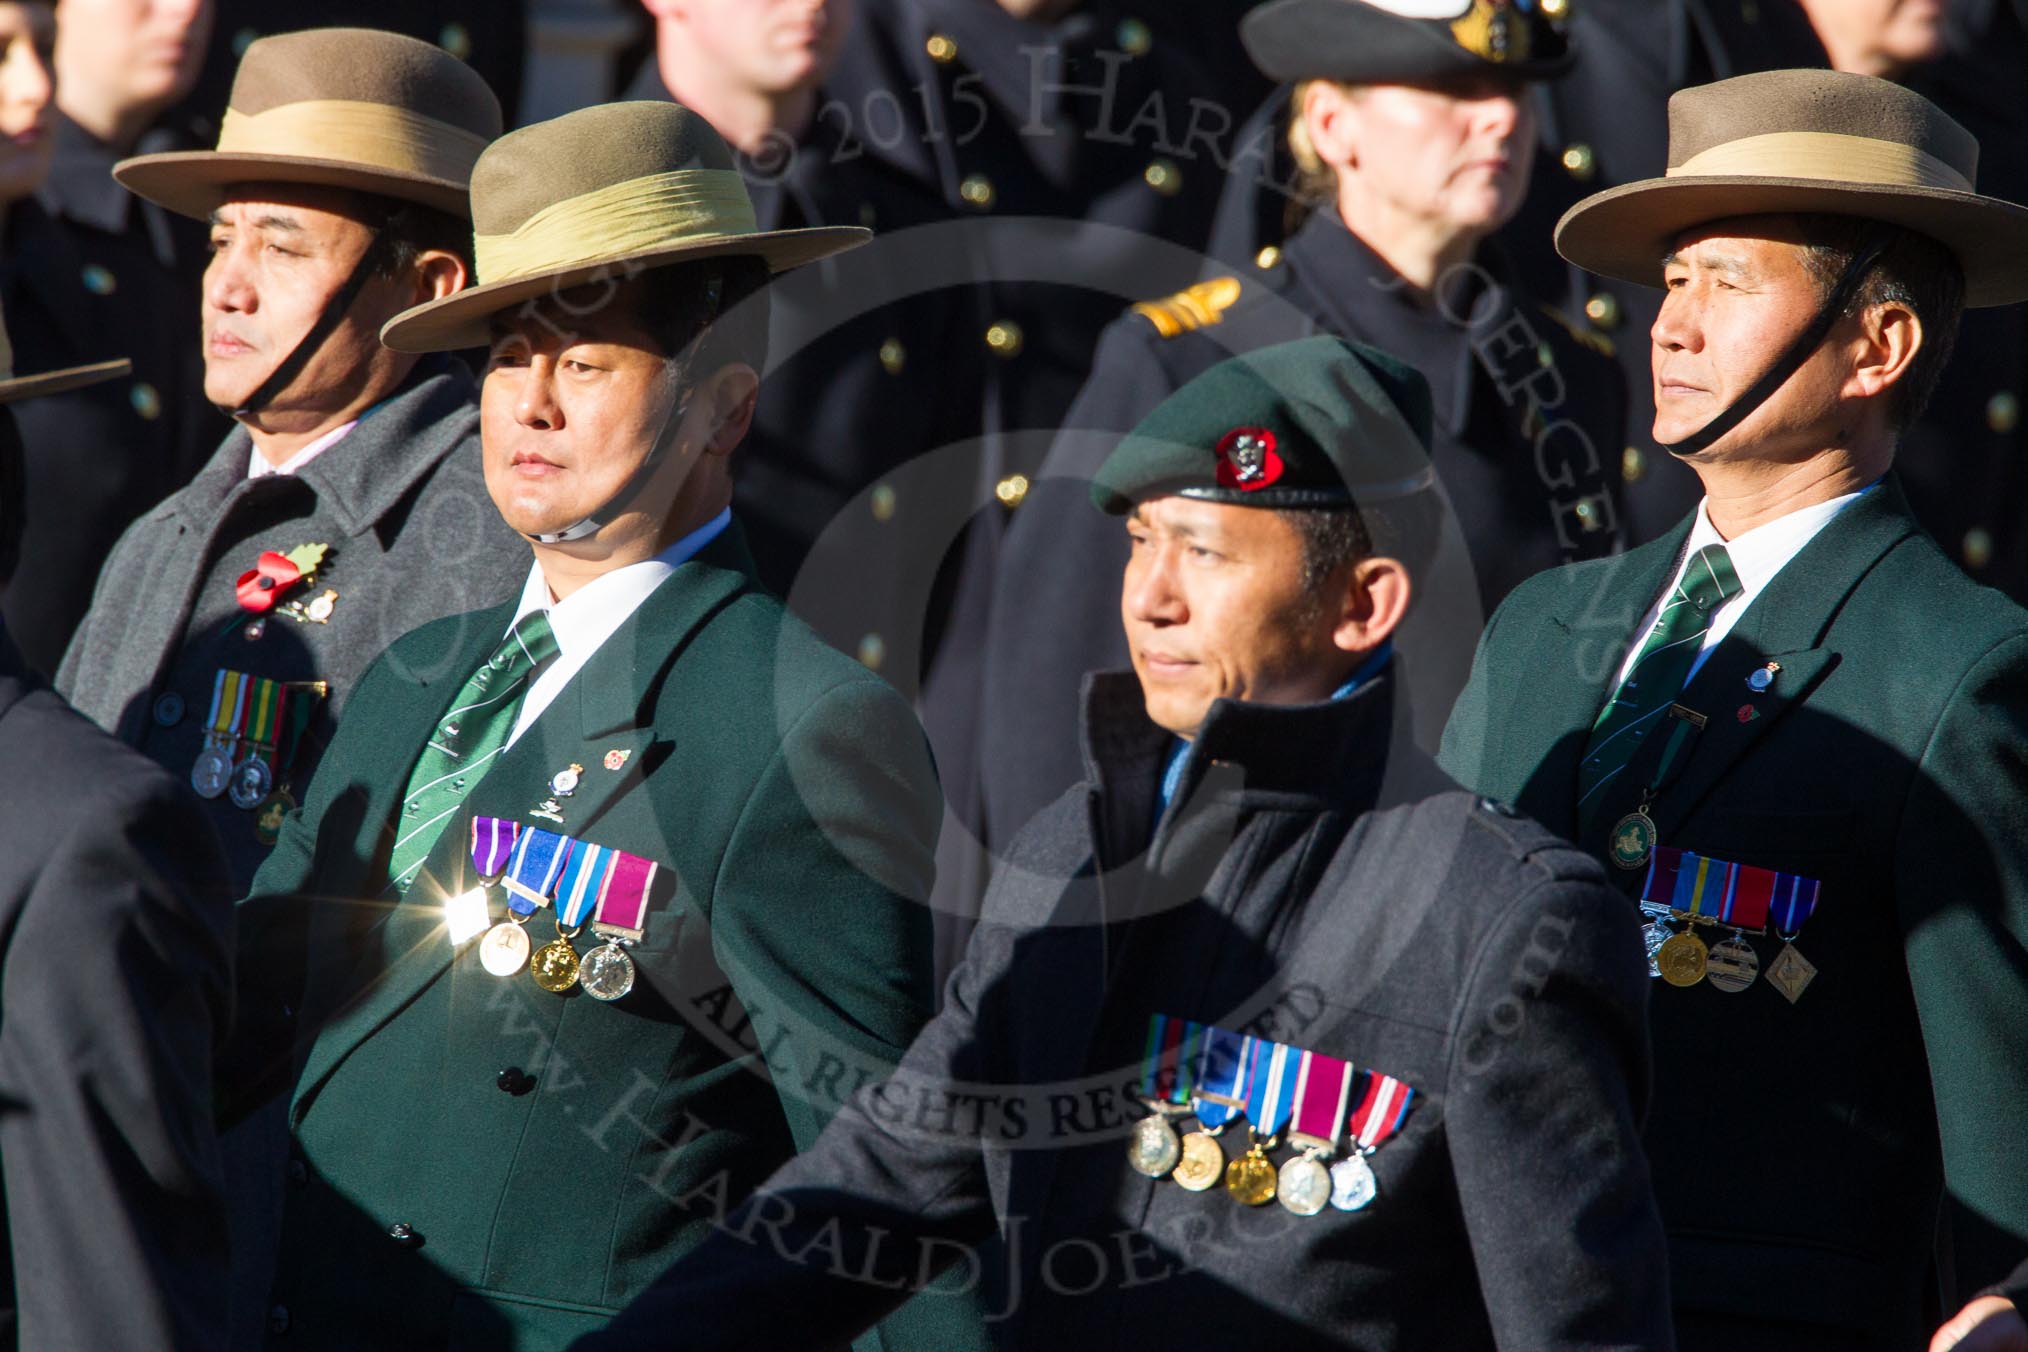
(609, 895)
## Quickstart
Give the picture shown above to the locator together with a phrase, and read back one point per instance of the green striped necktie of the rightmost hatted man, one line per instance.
(1658, 676)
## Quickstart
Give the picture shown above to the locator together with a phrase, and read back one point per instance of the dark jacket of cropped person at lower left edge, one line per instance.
(115, 990)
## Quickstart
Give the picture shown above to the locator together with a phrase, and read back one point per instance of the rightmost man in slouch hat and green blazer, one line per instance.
(1794, 729)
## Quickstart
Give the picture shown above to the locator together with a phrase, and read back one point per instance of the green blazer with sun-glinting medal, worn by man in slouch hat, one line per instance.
(486, 1165)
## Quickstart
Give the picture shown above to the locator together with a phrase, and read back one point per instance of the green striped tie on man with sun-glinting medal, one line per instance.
(465, 743)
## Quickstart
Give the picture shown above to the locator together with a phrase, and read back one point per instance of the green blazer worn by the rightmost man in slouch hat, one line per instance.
(1802, 1150)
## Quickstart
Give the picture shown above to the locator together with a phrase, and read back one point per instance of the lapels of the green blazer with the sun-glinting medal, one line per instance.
(607, 706)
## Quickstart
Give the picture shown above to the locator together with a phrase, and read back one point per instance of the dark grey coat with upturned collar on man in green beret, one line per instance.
(1317, 887)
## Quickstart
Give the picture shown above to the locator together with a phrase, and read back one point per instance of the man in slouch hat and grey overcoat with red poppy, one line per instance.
(234, 619)
